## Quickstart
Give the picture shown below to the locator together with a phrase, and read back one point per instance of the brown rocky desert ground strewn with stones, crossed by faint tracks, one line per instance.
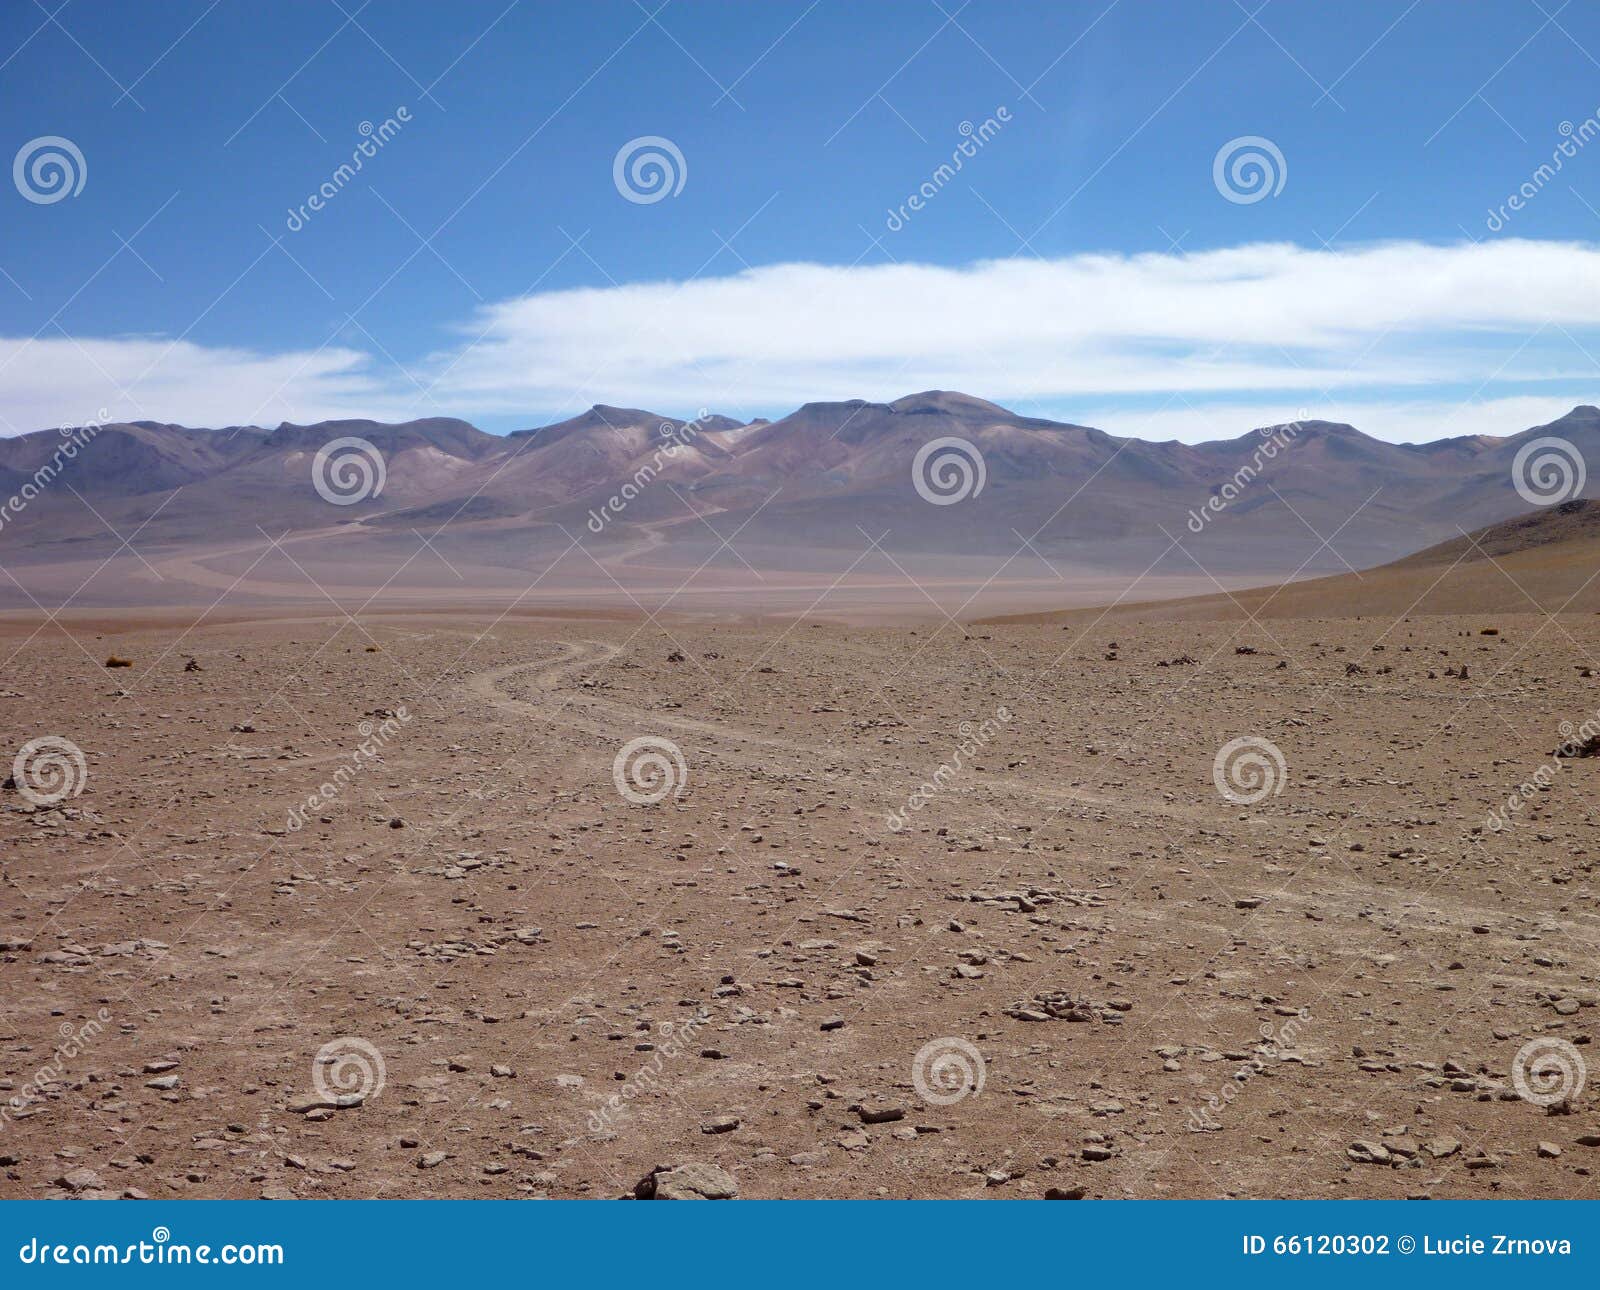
(372, 908)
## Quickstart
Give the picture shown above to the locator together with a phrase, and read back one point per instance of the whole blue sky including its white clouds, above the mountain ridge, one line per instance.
(1082, 263)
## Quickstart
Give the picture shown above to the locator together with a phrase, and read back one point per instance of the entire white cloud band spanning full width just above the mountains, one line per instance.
(1247, 327)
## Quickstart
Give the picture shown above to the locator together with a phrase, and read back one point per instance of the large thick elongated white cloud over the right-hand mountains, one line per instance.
(1249, 319)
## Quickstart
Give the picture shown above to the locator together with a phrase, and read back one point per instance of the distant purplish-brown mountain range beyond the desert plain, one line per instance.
(630, 484)
